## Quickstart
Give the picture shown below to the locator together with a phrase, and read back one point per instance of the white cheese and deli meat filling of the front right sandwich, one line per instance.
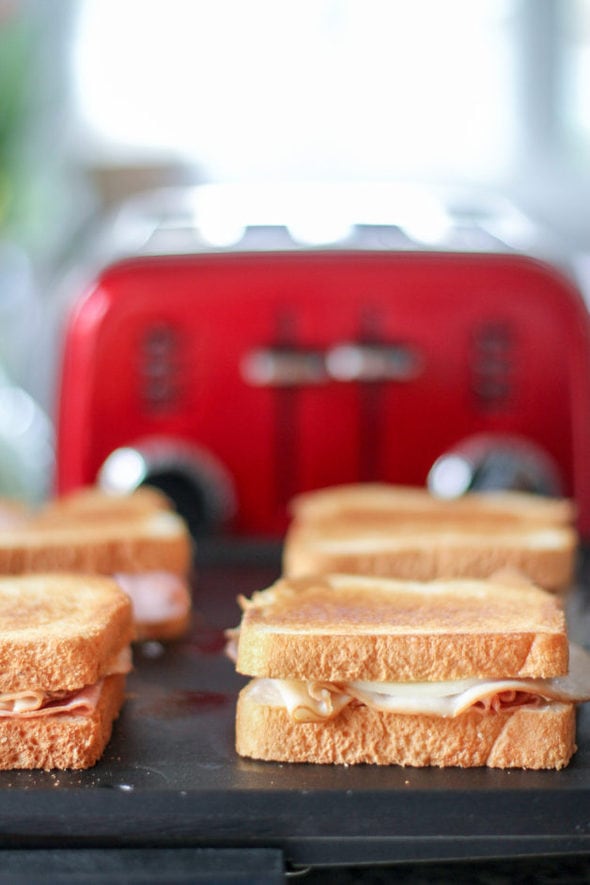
(318, 701)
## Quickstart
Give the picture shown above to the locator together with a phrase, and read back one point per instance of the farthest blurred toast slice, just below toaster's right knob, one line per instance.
(378, 503)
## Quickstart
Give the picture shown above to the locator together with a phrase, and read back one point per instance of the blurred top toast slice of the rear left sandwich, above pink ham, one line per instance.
(158, 540)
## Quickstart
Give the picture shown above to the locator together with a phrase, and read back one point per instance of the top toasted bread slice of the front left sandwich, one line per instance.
(60, 631)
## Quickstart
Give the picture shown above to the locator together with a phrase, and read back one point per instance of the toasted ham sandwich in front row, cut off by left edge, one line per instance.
(64, 654)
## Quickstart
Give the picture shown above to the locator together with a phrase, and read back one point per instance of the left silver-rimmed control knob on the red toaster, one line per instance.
(196, 482)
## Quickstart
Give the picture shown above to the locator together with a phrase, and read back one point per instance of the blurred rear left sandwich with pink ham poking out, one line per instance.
(137, 538)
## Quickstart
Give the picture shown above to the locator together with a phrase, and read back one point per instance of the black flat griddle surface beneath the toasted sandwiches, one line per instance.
(171, 781)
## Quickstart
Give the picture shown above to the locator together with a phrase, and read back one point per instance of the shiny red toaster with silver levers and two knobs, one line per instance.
(237, 376)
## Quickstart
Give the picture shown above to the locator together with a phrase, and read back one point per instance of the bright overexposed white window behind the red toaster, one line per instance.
(301, 88)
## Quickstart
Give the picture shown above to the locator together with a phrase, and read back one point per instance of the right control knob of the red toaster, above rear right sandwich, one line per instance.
(494, 463)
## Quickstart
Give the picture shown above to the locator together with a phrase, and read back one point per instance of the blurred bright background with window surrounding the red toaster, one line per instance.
(103, 99)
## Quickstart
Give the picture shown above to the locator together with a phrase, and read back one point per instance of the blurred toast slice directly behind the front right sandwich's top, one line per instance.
(425, 550)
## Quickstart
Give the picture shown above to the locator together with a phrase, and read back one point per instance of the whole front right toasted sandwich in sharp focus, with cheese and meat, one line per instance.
(353, 669)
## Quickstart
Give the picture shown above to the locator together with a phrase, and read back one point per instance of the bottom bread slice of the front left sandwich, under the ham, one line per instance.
(62, 741)
